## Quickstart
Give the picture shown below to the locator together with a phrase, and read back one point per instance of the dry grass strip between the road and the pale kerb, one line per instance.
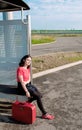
(49, 61)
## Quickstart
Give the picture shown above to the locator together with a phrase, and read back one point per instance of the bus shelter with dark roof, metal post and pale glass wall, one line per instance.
(15, 40)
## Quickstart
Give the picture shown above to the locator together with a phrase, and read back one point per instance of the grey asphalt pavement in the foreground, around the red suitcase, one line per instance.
(62, 97)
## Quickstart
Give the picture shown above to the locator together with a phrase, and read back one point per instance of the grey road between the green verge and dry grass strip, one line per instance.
(62, 44)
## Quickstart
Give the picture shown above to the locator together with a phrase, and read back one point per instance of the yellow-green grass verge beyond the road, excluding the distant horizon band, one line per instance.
(47, 38)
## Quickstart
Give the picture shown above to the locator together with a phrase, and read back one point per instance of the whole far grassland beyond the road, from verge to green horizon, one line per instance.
(47, 36)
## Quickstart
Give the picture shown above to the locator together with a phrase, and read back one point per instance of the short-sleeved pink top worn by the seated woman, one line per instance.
(25, 73)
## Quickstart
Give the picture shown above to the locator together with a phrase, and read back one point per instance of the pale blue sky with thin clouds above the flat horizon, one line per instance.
(54, 14)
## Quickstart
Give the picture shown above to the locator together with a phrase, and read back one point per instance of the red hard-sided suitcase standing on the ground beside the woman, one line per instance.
(24, 112)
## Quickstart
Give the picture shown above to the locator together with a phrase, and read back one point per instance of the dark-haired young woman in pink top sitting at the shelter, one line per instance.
(26, 88)
